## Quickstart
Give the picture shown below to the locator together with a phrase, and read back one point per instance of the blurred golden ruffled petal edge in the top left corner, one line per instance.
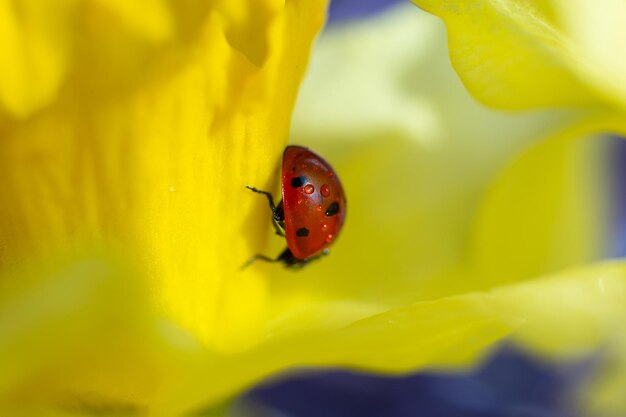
(43, 43)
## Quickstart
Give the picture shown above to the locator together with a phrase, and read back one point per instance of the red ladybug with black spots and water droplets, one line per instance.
(312, 210)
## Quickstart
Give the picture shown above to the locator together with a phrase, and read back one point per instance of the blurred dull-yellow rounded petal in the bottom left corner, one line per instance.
(75, 331)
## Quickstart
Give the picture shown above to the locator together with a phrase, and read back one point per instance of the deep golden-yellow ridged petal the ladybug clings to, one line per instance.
(148, 149)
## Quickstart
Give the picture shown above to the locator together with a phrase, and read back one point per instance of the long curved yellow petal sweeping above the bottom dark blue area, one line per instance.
(566, 314)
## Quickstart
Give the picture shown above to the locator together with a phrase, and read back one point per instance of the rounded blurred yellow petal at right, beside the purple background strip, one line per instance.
(548, 209)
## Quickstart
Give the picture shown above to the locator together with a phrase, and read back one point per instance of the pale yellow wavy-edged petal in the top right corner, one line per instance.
(525, 54)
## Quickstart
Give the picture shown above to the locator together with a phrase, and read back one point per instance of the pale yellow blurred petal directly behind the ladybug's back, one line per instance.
(418, 186)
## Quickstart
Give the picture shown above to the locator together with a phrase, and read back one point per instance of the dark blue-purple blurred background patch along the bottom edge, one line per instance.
(510, 384)
